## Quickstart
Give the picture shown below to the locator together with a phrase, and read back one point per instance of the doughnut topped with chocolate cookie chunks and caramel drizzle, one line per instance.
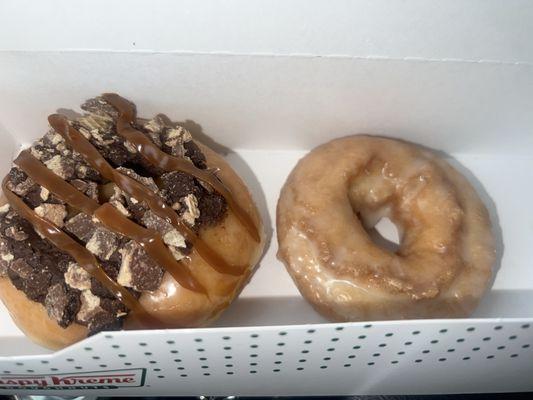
(116, 222)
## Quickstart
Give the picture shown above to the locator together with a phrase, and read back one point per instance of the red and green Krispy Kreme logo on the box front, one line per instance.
(87, 380)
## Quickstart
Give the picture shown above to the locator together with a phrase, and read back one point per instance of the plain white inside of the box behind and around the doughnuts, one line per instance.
(266, 100)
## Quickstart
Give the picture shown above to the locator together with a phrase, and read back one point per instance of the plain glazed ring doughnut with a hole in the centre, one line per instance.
(340, 190)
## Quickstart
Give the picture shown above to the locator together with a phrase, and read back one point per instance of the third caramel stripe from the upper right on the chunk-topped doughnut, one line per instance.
(110, 217)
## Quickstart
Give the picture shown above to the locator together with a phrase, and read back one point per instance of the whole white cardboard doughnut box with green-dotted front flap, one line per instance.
(263, 83)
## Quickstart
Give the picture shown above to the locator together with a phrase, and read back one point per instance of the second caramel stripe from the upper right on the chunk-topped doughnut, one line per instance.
(80, 144)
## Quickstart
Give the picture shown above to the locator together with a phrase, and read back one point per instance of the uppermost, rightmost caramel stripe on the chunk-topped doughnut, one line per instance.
(170, 163)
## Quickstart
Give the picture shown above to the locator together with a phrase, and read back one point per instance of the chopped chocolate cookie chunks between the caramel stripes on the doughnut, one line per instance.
(53, 278)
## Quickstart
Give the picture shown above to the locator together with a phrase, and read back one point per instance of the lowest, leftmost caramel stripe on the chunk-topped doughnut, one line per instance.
(82, 256)
